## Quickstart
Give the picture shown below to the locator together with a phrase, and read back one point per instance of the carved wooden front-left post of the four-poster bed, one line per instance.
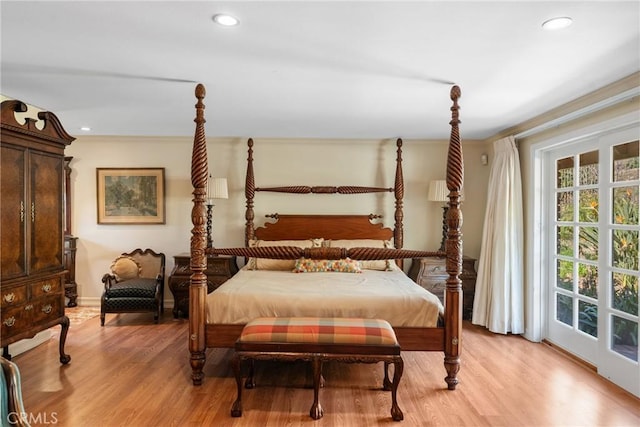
(198, 285)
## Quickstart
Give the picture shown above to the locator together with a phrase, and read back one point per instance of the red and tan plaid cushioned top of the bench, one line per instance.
(319, 330)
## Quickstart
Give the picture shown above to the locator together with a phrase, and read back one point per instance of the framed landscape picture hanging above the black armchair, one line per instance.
(130, 195)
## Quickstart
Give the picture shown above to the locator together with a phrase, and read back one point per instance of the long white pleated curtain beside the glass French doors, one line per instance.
(499, 296)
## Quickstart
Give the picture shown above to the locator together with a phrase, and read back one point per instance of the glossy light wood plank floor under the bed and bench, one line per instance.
(135, 373)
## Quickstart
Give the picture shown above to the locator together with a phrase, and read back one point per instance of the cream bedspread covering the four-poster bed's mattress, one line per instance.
(388, 295)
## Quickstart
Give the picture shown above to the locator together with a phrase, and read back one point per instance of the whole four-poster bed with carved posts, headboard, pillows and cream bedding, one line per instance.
(324, 238)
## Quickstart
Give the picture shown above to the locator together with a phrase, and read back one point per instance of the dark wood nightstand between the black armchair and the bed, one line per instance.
(219, 269)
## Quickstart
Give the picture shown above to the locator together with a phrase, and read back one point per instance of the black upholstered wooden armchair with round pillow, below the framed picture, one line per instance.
(135, 284)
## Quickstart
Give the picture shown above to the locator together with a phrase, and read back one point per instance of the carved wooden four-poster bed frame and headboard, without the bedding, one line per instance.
(295, 227)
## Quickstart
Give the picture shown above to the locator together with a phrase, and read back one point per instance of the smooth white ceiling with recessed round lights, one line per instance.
(364, 69)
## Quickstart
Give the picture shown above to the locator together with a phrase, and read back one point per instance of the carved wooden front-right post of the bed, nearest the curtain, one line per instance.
(453, 248)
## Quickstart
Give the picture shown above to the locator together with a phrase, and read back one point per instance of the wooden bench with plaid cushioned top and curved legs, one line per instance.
(318, 339)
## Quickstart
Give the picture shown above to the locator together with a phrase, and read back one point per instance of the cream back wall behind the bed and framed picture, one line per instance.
(277, 162)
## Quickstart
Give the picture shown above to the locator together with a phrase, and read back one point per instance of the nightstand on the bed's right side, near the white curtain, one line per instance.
(431, 274)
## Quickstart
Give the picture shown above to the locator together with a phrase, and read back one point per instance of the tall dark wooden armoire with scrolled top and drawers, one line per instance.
(32, 275)
